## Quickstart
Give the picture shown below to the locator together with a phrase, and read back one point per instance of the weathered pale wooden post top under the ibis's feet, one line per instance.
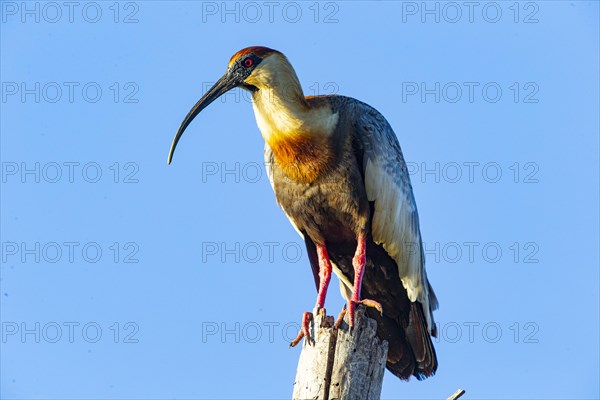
(340, 364)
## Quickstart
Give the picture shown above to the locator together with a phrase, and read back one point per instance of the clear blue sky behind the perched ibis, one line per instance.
(126, 278)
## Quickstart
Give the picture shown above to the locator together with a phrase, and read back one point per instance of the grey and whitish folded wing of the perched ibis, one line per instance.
(395, 223)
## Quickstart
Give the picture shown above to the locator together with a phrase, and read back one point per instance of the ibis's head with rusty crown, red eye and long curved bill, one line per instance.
(252, 68)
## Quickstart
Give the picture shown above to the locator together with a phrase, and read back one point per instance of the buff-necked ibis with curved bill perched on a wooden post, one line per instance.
(339, 175)
